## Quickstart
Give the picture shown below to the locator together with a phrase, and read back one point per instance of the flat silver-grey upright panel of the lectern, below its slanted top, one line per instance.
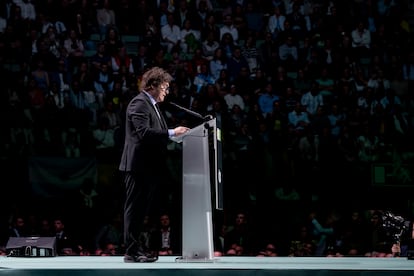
(197, 209)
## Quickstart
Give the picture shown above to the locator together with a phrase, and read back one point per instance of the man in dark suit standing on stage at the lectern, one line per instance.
(143, 160)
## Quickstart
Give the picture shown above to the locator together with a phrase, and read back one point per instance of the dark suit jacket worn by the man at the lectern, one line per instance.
(146, 137)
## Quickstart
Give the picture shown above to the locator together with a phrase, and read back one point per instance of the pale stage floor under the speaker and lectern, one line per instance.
(240, 266)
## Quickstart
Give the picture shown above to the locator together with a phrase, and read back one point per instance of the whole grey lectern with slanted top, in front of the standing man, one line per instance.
(199, 151)
